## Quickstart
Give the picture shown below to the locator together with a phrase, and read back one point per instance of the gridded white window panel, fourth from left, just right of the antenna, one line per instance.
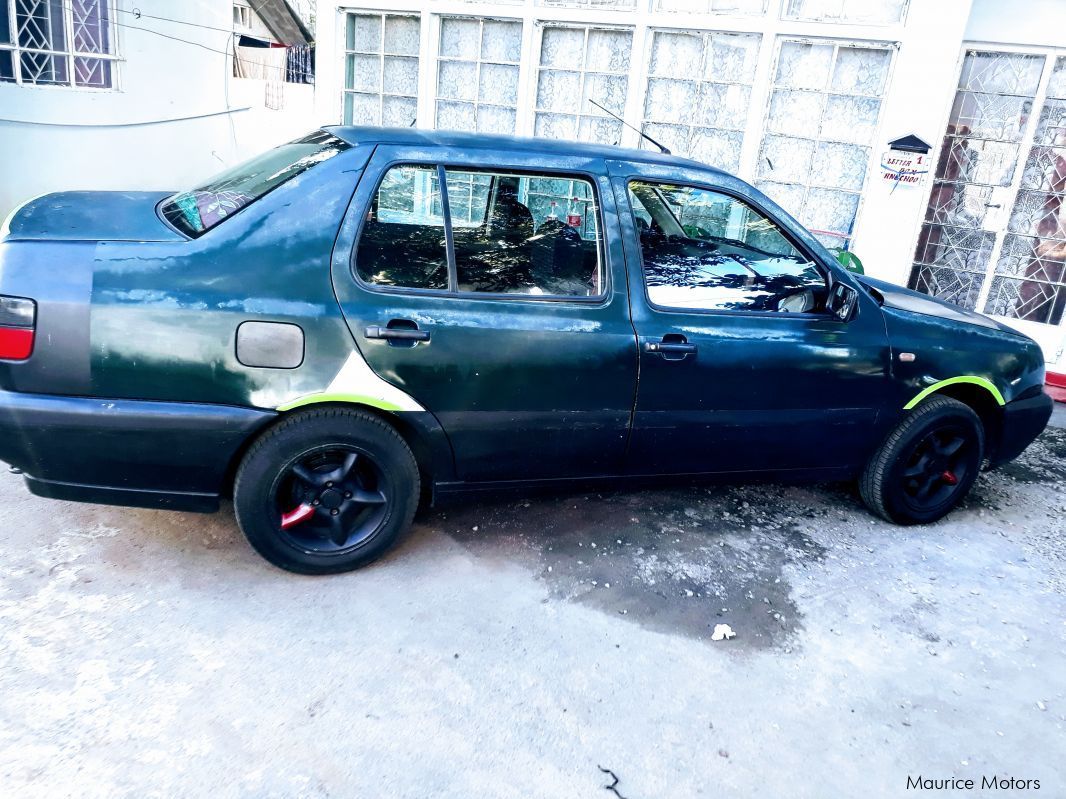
(700, 86)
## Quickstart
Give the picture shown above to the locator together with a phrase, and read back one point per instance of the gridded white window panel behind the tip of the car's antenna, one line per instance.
(579, 63)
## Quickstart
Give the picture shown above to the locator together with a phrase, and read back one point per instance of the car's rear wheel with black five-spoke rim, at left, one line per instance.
(327, 492)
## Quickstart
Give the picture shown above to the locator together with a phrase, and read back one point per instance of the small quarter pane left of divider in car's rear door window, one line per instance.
(403, 242)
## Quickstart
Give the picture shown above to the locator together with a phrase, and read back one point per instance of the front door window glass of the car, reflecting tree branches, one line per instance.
(708, 251)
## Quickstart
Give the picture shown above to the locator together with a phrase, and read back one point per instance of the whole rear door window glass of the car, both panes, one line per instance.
(534, 235)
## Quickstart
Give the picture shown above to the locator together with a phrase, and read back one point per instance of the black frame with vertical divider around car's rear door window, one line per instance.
(453, 292)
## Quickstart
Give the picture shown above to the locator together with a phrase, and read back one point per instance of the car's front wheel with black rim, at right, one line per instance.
(927, 465)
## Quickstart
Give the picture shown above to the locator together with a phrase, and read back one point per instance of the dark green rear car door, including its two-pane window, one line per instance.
(498, 304)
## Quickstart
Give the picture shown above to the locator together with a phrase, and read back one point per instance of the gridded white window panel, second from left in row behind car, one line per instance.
(478, 74)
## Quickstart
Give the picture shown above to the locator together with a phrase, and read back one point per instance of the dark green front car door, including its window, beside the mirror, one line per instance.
(742, 369)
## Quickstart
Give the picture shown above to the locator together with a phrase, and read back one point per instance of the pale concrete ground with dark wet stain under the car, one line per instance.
(512, 648)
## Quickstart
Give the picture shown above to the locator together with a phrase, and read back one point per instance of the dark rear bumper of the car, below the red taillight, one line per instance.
(125, 452)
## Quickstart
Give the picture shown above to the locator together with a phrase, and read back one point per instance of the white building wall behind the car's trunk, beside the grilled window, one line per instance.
(175, 118)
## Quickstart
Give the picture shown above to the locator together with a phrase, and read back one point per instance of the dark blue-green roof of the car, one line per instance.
(358, 135)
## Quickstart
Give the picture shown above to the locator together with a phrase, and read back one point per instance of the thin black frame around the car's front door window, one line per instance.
(830, 275)
